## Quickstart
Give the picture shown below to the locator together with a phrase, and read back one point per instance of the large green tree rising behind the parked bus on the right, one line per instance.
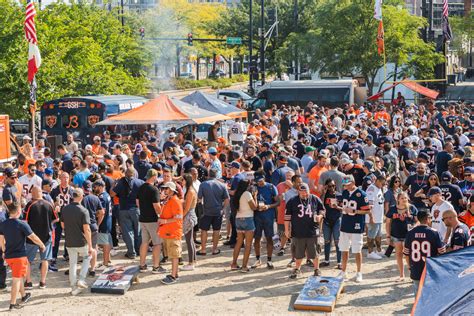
(339, 43)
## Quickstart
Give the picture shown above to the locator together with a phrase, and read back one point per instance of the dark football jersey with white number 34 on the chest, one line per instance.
(301, 214)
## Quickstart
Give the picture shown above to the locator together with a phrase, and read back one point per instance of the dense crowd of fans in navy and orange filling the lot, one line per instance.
(302, 179)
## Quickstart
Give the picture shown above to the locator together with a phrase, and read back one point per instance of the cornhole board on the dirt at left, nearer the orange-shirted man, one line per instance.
(116, 280)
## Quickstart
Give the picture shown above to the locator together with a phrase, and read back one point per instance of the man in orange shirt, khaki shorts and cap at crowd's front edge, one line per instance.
(170, 229)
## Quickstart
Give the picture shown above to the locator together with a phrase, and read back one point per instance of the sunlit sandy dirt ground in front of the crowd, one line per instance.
(213, 289)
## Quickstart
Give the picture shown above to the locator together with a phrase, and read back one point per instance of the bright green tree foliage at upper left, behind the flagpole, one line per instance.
(84, 51)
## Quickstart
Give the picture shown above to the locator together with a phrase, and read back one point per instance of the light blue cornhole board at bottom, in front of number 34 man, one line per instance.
(319, 294)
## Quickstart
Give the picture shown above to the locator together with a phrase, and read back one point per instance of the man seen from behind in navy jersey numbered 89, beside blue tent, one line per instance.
(421, 242)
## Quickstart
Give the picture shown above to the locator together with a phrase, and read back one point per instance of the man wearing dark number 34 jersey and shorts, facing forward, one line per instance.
(305, 212)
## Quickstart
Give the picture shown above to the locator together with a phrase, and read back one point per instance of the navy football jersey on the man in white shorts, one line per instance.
(354, 223)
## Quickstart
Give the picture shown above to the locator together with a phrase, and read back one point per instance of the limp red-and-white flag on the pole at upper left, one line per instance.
(34, 57)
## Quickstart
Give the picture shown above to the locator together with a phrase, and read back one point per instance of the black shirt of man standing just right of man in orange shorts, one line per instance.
(39, 214)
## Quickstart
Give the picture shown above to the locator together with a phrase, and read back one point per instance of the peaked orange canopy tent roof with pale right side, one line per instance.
(164, 110)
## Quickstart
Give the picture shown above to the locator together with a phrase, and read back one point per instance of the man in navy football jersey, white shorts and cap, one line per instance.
(355, 205)
